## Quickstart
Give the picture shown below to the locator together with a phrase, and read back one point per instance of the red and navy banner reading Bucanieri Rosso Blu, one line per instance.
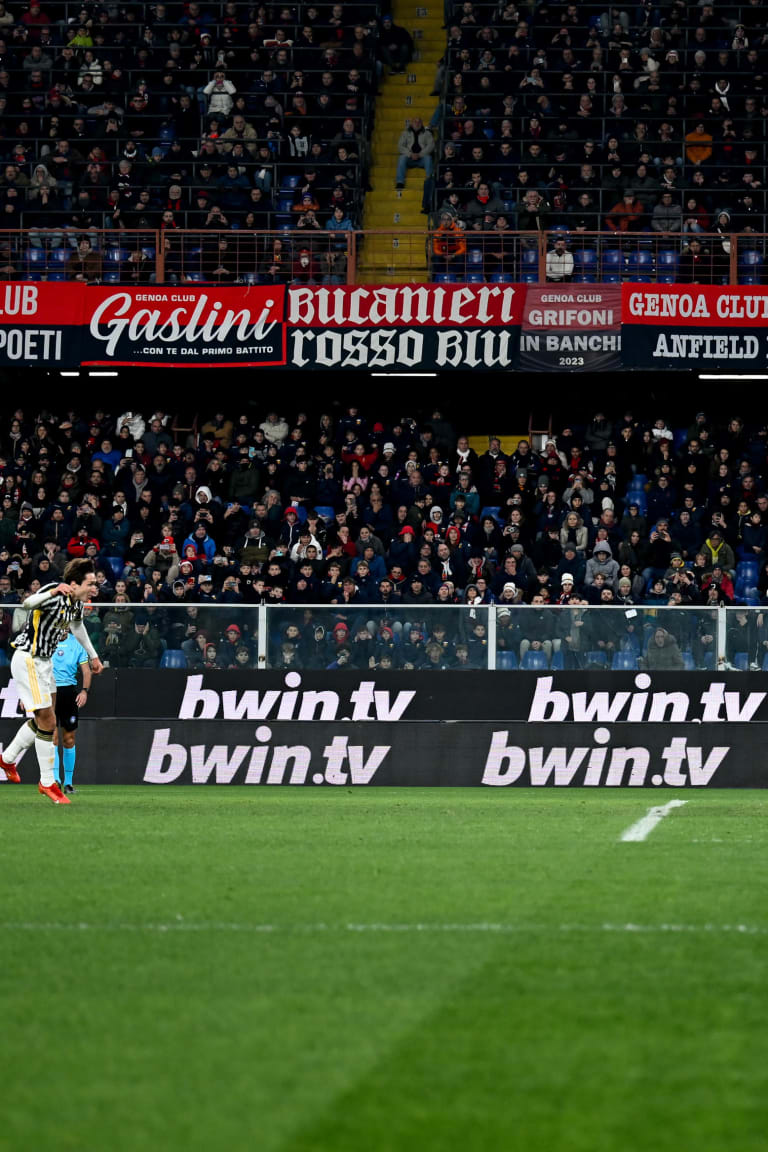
(406, 327)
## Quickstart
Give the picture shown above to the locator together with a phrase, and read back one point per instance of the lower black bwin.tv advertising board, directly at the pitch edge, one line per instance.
(413, 754)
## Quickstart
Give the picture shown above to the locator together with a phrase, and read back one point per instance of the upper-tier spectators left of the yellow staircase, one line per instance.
(184, 116)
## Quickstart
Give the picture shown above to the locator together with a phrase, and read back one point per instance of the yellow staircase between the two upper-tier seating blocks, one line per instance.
(387, 259)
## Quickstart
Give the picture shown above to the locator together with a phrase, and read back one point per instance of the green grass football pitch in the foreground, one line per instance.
(383, 971)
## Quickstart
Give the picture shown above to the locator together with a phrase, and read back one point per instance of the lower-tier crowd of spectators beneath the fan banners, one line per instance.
(351, 519)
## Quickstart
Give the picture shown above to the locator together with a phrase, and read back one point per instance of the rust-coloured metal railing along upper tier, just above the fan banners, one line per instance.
(316, 255)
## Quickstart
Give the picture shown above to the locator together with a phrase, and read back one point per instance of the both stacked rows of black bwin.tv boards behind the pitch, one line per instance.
(451, 730)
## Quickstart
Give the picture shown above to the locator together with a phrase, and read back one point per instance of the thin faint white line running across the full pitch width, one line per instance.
(377, 929)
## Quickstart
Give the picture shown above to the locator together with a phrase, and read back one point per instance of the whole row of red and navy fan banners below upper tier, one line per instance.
(379, 328)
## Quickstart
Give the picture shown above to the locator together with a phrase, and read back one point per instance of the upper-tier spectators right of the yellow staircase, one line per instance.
(625, 119)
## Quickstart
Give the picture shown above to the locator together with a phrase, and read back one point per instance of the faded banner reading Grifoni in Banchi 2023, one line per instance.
(572, 328)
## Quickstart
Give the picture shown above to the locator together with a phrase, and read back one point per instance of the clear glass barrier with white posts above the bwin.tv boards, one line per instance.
(432, 638)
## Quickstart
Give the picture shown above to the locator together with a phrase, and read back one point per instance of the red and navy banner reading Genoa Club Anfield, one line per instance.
(691, 327)
